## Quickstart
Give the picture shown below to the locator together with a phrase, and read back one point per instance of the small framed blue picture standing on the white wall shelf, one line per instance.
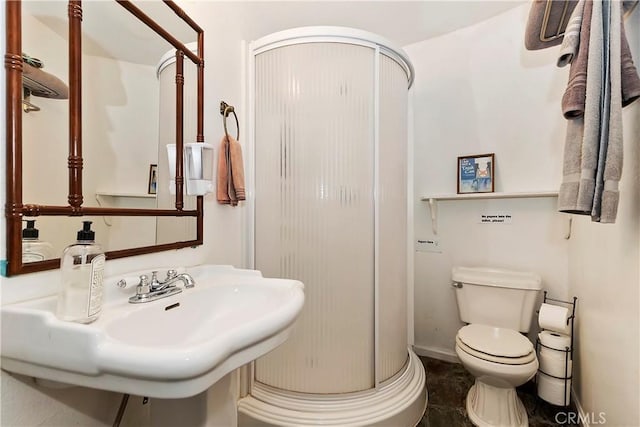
(475, 173)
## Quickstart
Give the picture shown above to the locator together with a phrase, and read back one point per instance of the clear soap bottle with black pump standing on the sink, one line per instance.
(82, 268)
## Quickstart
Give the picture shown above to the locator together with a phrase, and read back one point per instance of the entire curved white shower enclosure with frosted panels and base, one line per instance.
(330, 209)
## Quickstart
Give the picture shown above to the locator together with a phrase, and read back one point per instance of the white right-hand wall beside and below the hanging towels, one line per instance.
(604, 271)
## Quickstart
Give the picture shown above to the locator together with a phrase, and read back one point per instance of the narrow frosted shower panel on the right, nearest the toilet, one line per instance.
(392, 219)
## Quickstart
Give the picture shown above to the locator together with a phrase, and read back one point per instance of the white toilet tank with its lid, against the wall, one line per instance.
(495, 297)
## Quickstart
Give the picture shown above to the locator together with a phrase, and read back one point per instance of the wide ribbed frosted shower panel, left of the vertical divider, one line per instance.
(314, 209)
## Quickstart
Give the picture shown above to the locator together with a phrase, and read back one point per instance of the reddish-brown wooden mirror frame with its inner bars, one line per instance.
(15, 210)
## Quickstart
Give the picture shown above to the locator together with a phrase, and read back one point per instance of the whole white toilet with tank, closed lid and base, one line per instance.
(496, 305)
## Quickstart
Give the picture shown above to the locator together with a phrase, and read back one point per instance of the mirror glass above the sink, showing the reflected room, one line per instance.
(128, 118)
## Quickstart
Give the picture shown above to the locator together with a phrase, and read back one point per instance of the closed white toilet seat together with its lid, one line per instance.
(497, 345)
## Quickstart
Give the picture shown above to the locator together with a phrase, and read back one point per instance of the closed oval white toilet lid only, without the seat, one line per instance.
(499, 342)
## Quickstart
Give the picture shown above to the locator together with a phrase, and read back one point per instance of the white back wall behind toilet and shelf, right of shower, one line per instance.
(477, 90)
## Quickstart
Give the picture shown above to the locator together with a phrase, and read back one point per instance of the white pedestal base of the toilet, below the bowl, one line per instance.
(490, 406)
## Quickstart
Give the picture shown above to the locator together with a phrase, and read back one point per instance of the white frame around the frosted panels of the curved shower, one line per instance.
(380, 46)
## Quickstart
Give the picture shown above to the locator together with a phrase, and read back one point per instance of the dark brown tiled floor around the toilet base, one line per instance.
(448, 384)
